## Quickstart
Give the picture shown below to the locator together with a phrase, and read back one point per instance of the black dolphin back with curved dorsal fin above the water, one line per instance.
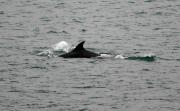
(79, 52)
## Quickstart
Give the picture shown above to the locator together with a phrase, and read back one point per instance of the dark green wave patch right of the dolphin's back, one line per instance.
(142, 58)
